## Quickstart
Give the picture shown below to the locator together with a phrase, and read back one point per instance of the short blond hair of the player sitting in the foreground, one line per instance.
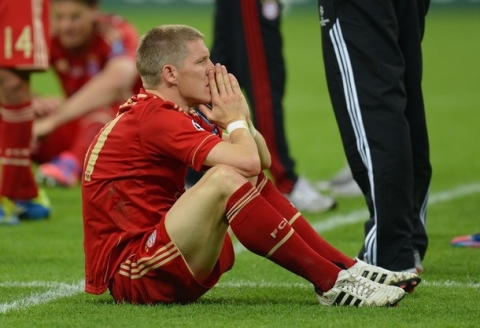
(163, 45)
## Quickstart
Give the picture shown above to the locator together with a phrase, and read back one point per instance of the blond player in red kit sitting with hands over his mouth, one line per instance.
(149, 241)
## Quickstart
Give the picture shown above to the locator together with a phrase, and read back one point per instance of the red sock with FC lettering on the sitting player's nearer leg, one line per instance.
(262, 230)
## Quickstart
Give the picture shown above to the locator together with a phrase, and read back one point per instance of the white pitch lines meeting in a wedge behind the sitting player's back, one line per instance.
(57, 291)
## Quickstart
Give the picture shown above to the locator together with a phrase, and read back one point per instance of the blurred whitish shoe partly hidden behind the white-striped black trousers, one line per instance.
(342, 184)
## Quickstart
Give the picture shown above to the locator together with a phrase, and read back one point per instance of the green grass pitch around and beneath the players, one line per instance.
(41, 273)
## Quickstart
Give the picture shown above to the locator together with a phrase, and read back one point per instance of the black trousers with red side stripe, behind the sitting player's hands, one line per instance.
(247, 40)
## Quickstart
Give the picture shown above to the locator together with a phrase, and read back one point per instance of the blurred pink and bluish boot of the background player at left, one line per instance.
(63, 171)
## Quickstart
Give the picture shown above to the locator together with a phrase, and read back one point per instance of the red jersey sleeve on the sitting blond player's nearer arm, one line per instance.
(176, 135)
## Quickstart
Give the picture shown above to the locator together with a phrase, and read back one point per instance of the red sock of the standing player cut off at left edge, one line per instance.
(17, 180)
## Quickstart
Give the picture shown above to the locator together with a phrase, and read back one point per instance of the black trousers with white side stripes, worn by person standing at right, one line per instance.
(373, 62)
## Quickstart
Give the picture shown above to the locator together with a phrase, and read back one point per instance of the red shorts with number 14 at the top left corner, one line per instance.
(24, 34)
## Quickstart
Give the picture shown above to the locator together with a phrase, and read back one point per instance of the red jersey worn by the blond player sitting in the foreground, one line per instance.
(134, 172)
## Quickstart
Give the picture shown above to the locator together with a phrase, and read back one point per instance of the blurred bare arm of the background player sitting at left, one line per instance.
(108, 86)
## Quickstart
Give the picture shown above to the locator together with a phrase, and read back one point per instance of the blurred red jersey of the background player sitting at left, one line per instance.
(113, 36)
